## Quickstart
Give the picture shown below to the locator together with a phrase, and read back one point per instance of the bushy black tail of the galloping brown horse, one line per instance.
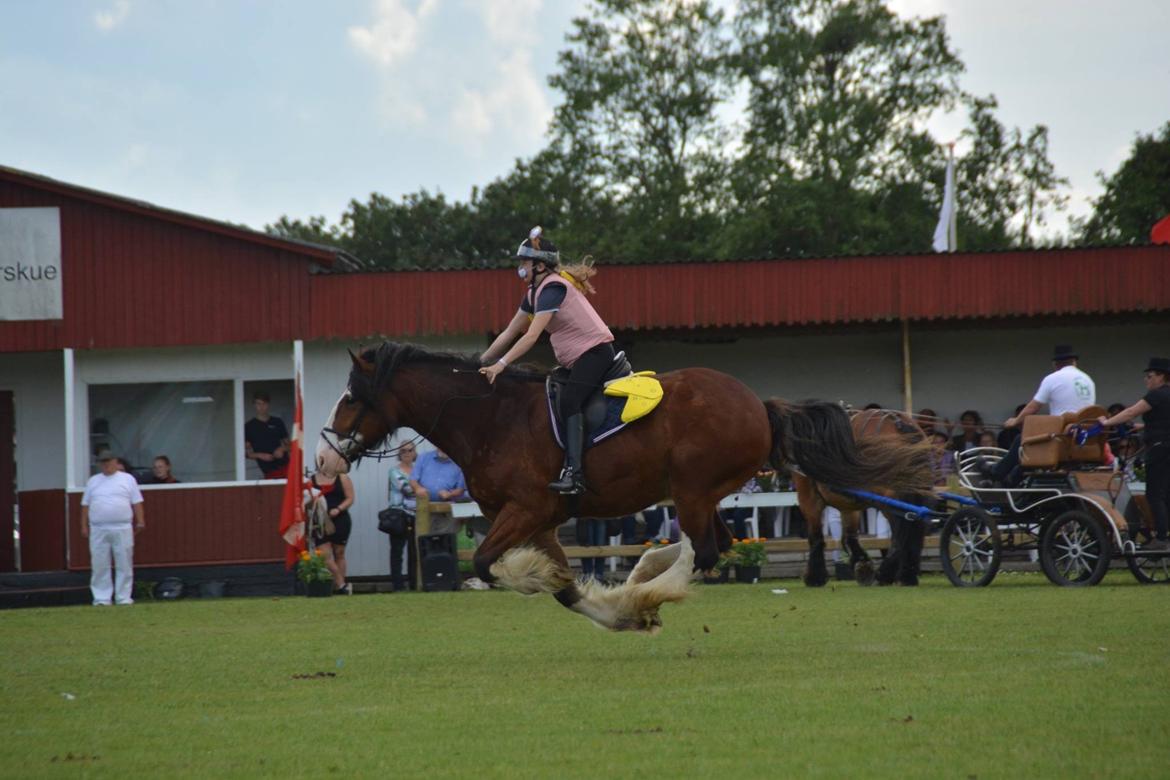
(817, 437)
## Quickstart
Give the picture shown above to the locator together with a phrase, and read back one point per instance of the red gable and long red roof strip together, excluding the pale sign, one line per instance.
(136, 275)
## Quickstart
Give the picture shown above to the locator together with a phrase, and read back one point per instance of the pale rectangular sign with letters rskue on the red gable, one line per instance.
(31, 264)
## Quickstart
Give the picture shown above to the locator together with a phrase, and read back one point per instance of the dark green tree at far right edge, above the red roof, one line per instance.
(1135, 197)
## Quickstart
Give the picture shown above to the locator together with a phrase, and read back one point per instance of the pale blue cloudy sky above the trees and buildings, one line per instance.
(247, 111)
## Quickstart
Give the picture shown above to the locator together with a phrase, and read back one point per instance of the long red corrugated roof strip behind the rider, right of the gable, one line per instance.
(766, 293)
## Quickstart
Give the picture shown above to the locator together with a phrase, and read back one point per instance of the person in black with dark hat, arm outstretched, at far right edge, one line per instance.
(1155, 411)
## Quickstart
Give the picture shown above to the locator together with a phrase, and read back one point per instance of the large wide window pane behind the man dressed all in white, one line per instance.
(194, 424)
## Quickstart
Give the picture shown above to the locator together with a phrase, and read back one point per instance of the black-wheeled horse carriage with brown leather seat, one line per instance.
(1069, 507)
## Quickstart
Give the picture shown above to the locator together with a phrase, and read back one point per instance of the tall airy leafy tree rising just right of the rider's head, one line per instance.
(643, 80)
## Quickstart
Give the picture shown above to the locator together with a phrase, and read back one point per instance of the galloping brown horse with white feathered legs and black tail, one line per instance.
(710, 434)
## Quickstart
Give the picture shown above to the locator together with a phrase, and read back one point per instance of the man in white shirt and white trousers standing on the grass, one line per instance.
(112, 513)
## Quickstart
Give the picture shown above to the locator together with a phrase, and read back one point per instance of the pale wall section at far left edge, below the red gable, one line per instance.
(37, 381)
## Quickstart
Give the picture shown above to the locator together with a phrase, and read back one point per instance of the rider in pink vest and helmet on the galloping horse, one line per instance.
(581, 341)
